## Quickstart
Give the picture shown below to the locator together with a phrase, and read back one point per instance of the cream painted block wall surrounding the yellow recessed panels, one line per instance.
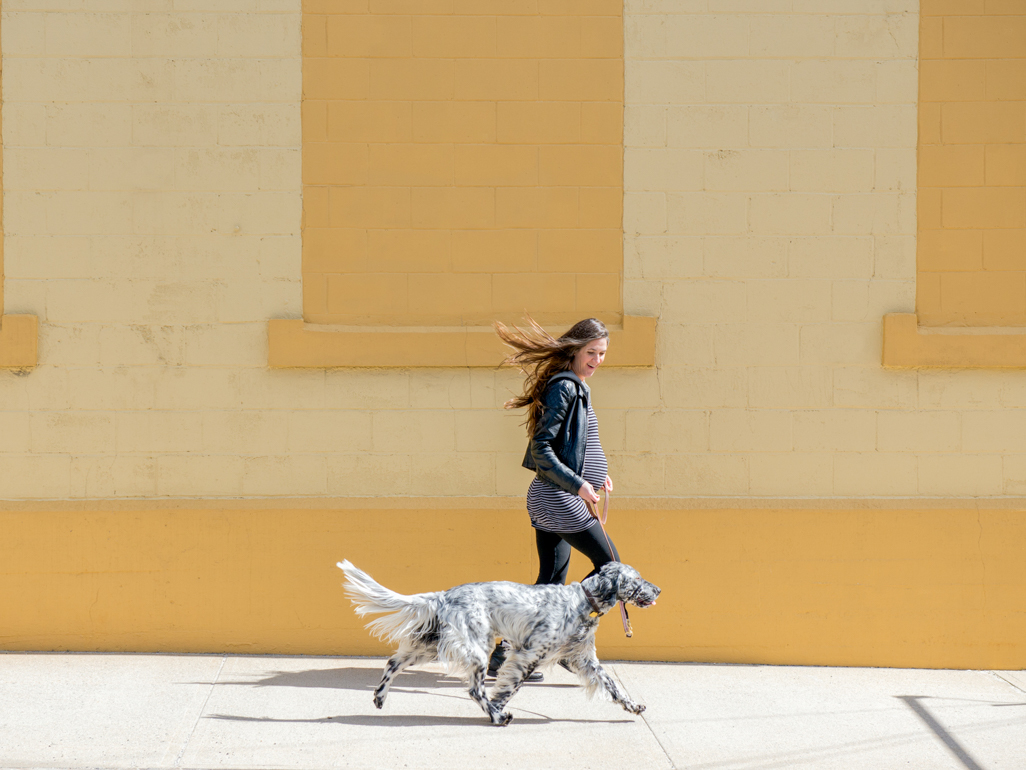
(152, 200)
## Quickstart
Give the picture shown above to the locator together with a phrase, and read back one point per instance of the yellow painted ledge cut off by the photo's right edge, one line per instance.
(906, 344)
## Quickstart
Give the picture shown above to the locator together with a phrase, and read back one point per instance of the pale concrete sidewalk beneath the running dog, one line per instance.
(84, 711)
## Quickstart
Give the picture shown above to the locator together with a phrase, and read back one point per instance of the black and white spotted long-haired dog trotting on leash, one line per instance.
(543, 625)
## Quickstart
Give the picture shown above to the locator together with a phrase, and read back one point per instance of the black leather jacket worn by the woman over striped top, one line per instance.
(558, 448)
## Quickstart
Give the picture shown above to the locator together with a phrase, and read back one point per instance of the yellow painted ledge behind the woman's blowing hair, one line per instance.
(294, 343)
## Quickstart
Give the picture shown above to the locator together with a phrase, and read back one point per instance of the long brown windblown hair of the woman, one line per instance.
(540, 356)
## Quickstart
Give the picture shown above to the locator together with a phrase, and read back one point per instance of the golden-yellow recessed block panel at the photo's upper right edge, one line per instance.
(972, 252)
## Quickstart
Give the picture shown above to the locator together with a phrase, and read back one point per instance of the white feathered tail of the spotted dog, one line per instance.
(406, 615)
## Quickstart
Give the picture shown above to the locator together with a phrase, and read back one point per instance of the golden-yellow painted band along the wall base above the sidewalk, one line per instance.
(921, 587)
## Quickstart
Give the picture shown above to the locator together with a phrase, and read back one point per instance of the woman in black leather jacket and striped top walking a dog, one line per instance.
(565, 450)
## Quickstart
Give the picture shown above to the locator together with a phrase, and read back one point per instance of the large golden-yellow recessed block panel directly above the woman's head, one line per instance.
(462, 162)
